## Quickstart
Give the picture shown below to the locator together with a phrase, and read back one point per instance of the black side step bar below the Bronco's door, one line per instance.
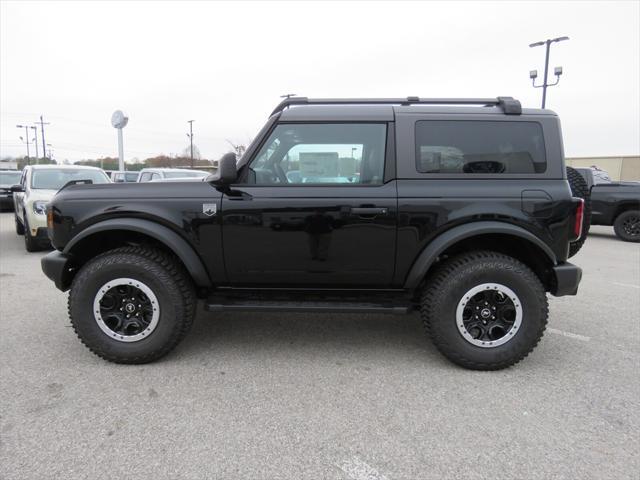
(222, 304)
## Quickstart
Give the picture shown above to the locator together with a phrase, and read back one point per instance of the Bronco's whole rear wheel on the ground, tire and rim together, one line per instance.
(484, 310)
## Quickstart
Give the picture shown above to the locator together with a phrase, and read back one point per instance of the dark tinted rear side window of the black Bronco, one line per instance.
(469, 146)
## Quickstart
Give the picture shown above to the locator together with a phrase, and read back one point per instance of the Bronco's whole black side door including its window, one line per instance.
(313, 209)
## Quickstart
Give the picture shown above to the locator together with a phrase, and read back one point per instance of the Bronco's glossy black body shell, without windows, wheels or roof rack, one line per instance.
(344, 237)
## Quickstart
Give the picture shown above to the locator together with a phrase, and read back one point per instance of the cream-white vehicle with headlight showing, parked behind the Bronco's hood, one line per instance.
(37, 185)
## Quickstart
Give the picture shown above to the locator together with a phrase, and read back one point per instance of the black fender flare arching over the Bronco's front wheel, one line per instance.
(168, 237)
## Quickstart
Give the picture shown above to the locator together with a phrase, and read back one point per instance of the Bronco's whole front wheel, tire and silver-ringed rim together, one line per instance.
(132, 304)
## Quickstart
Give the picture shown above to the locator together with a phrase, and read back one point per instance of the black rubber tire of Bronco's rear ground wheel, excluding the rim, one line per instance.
(456, 276)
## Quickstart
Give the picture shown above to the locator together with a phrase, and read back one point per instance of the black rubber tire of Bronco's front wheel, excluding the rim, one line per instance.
(168, 280)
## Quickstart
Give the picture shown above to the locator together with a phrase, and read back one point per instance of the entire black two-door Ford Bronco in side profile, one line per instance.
(457, 208)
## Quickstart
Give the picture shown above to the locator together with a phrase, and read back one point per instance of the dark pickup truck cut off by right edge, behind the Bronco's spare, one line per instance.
(614, 204)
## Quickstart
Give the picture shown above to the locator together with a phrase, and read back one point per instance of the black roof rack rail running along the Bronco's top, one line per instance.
(509, 105)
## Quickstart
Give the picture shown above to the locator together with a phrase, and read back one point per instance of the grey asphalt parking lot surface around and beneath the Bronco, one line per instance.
(313, 397)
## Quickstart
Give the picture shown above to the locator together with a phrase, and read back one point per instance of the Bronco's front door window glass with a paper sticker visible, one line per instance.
(339, 154)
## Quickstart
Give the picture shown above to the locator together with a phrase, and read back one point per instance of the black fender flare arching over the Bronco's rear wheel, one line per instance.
(438, 245)
